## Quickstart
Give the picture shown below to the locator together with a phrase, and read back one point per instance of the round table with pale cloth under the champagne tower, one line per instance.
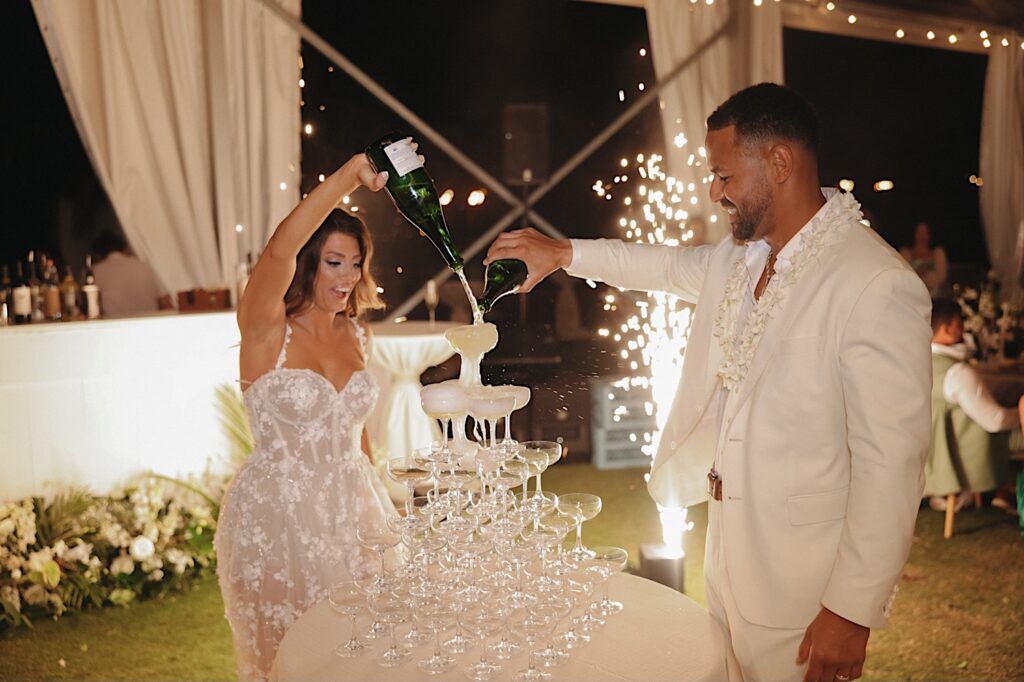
(661, 635)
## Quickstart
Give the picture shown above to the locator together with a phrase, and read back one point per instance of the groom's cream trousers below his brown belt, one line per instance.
(756, 654)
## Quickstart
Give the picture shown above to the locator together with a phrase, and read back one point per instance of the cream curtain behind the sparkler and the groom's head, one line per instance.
(750, 52)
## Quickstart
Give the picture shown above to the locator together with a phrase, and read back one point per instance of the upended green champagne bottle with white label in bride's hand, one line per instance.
(414, 193)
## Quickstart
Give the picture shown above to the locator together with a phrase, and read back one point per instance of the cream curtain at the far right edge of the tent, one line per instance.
(1002, 164)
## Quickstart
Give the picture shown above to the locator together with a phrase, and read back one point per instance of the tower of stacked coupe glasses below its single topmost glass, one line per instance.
(476, 561)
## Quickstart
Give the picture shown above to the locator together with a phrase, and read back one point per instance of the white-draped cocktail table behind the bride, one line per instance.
(401, 354)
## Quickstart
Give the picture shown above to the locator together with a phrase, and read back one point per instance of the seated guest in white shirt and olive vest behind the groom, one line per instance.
(970, 431)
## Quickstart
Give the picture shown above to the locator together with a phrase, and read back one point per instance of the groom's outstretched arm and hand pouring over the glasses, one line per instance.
(679, 271)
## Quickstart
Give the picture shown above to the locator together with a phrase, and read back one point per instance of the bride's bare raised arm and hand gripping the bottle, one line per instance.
(262, 311)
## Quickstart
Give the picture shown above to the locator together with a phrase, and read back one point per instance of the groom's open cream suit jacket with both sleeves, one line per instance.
(822, 446)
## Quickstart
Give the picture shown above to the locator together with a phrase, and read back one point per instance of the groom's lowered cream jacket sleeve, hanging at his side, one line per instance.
(885, 364)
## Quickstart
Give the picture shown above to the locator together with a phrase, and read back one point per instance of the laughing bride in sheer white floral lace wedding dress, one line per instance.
(287, 527)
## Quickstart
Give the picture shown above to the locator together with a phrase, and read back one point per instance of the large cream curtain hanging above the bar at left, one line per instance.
(190, 113)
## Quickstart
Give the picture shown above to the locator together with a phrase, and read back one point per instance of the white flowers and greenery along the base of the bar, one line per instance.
(80, 550)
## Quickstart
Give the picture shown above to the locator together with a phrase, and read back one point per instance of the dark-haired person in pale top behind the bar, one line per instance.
(129, 286)
